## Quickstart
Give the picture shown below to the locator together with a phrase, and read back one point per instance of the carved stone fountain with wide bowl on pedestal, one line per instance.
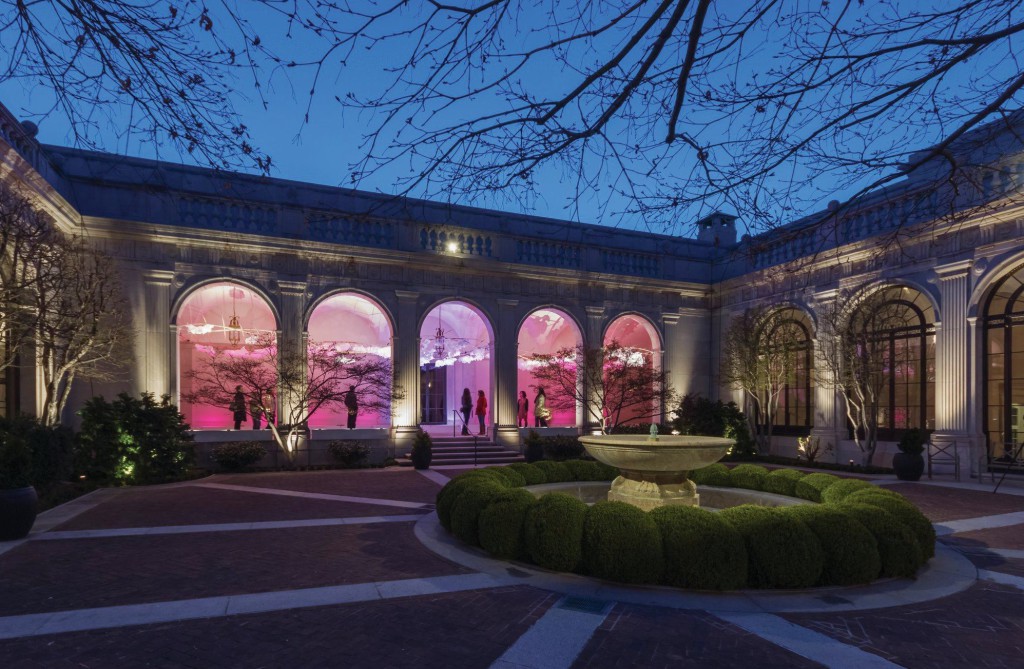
(654, 471)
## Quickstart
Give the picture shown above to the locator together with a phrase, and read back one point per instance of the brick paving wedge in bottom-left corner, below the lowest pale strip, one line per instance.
(458, 631)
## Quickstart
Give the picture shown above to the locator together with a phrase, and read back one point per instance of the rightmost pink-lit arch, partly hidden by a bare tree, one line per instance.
(638, 348)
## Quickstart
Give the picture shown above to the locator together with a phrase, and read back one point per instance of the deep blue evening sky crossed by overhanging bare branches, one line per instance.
(673, 104)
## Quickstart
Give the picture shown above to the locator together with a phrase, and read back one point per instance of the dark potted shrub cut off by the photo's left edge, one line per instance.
(18, 497)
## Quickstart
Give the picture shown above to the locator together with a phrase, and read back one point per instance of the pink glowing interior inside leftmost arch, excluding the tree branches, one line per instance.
(203, 327)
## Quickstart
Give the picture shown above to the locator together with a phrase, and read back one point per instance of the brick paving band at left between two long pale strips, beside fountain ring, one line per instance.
(44, 576)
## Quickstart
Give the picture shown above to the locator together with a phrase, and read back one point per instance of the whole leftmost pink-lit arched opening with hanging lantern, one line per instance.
(227, 338)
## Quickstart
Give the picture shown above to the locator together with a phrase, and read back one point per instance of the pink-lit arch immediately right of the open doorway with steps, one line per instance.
(549, 332)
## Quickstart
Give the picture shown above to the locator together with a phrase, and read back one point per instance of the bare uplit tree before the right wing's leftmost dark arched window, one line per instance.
(757, 359)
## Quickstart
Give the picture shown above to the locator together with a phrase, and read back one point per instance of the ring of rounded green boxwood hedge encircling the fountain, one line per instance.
(857, 534)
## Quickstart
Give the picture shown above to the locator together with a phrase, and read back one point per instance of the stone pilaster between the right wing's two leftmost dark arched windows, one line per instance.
(830, 420)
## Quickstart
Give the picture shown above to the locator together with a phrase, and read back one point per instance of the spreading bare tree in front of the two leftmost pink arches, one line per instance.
(307, 381)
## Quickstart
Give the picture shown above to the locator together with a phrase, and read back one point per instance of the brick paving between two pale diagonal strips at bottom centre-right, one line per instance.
(654, 638)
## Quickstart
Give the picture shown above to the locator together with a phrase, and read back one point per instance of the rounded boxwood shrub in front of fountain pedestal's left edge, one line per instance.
(622, 543)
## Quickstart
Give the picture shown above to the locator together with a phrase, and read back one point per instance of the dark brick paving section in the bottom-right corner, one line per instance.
(980, 628)
